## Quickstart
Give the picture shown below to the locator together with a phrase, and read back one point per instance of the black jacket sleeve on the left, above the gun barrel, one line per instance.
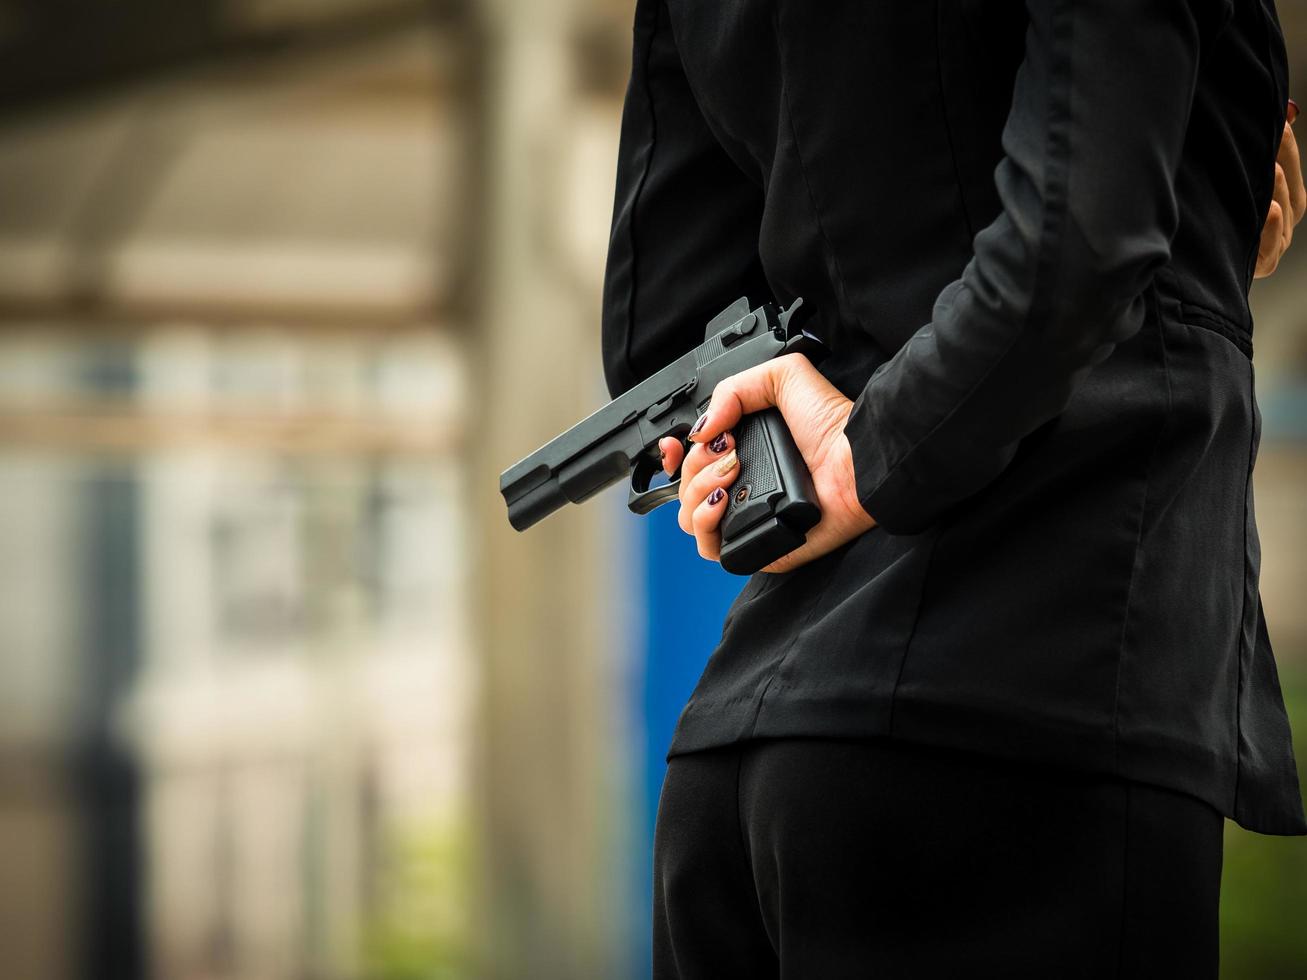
(686, 220)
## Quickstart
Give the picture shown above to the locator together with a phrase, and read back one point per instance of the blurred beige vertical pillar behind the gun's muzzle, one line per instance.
(547, 907)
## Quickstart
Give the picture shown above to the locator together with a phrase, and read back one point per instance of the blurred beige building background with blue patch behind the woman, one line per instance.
(284, 287)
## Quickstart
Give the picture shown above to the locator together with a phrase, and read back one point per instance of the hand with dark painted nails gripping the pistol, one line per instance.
(816, 414)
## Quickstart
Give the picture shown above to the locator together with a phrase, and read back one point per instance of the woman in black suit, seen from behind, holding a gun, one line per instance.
(989, 721)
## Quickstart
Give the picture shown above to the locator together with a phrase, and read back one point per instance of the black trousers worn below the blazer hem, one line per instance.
(823, 859)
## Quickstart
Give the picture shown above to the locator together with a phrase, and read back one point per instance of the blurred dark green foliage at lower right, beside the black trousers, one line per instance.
(1265, 884)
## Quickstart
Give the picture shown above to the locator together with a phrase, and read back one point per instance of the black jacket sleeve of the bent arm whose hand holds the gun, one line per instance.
(1092, 147)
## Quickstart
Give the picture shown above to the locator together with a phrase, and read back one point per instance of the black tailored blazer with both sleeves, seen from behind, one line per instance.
(1029, 233)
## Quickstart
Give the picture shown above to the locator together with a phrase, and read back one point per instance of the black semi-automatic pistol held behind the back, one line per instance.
(772, 505)
